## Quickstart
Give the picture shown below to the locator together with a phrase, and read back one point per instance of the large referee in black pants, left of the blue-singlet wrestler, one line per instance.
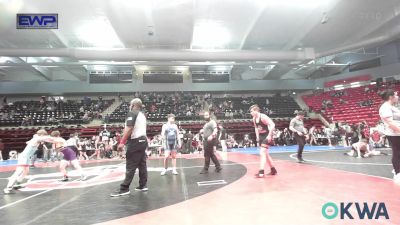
(135, 139)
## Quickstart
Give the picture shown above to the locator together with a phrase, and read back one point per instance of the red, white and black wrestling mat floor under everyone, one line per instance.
(233, 196)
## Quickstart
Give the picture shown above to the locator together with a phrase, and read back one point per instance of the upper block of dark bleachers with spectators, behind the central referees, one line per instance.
(188, 106)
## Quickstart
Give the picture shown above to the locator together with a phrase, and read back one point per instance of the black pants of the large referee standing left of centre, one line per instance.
(135, 158)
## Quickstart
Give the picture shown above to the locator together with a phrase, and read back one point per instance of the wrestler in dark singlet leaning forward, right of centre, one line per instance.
(264, 128)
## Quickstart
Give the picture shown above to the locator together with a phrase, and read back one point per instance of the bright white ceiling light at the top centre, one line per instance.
(209, 35)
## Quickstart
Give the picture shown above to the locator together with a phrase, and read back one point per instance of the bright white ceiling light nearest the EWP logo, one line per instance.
(99, 33)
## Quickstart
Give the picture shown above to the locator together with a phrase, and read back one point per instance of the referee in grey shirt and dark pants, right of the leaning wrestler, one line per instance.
(299, 133)
